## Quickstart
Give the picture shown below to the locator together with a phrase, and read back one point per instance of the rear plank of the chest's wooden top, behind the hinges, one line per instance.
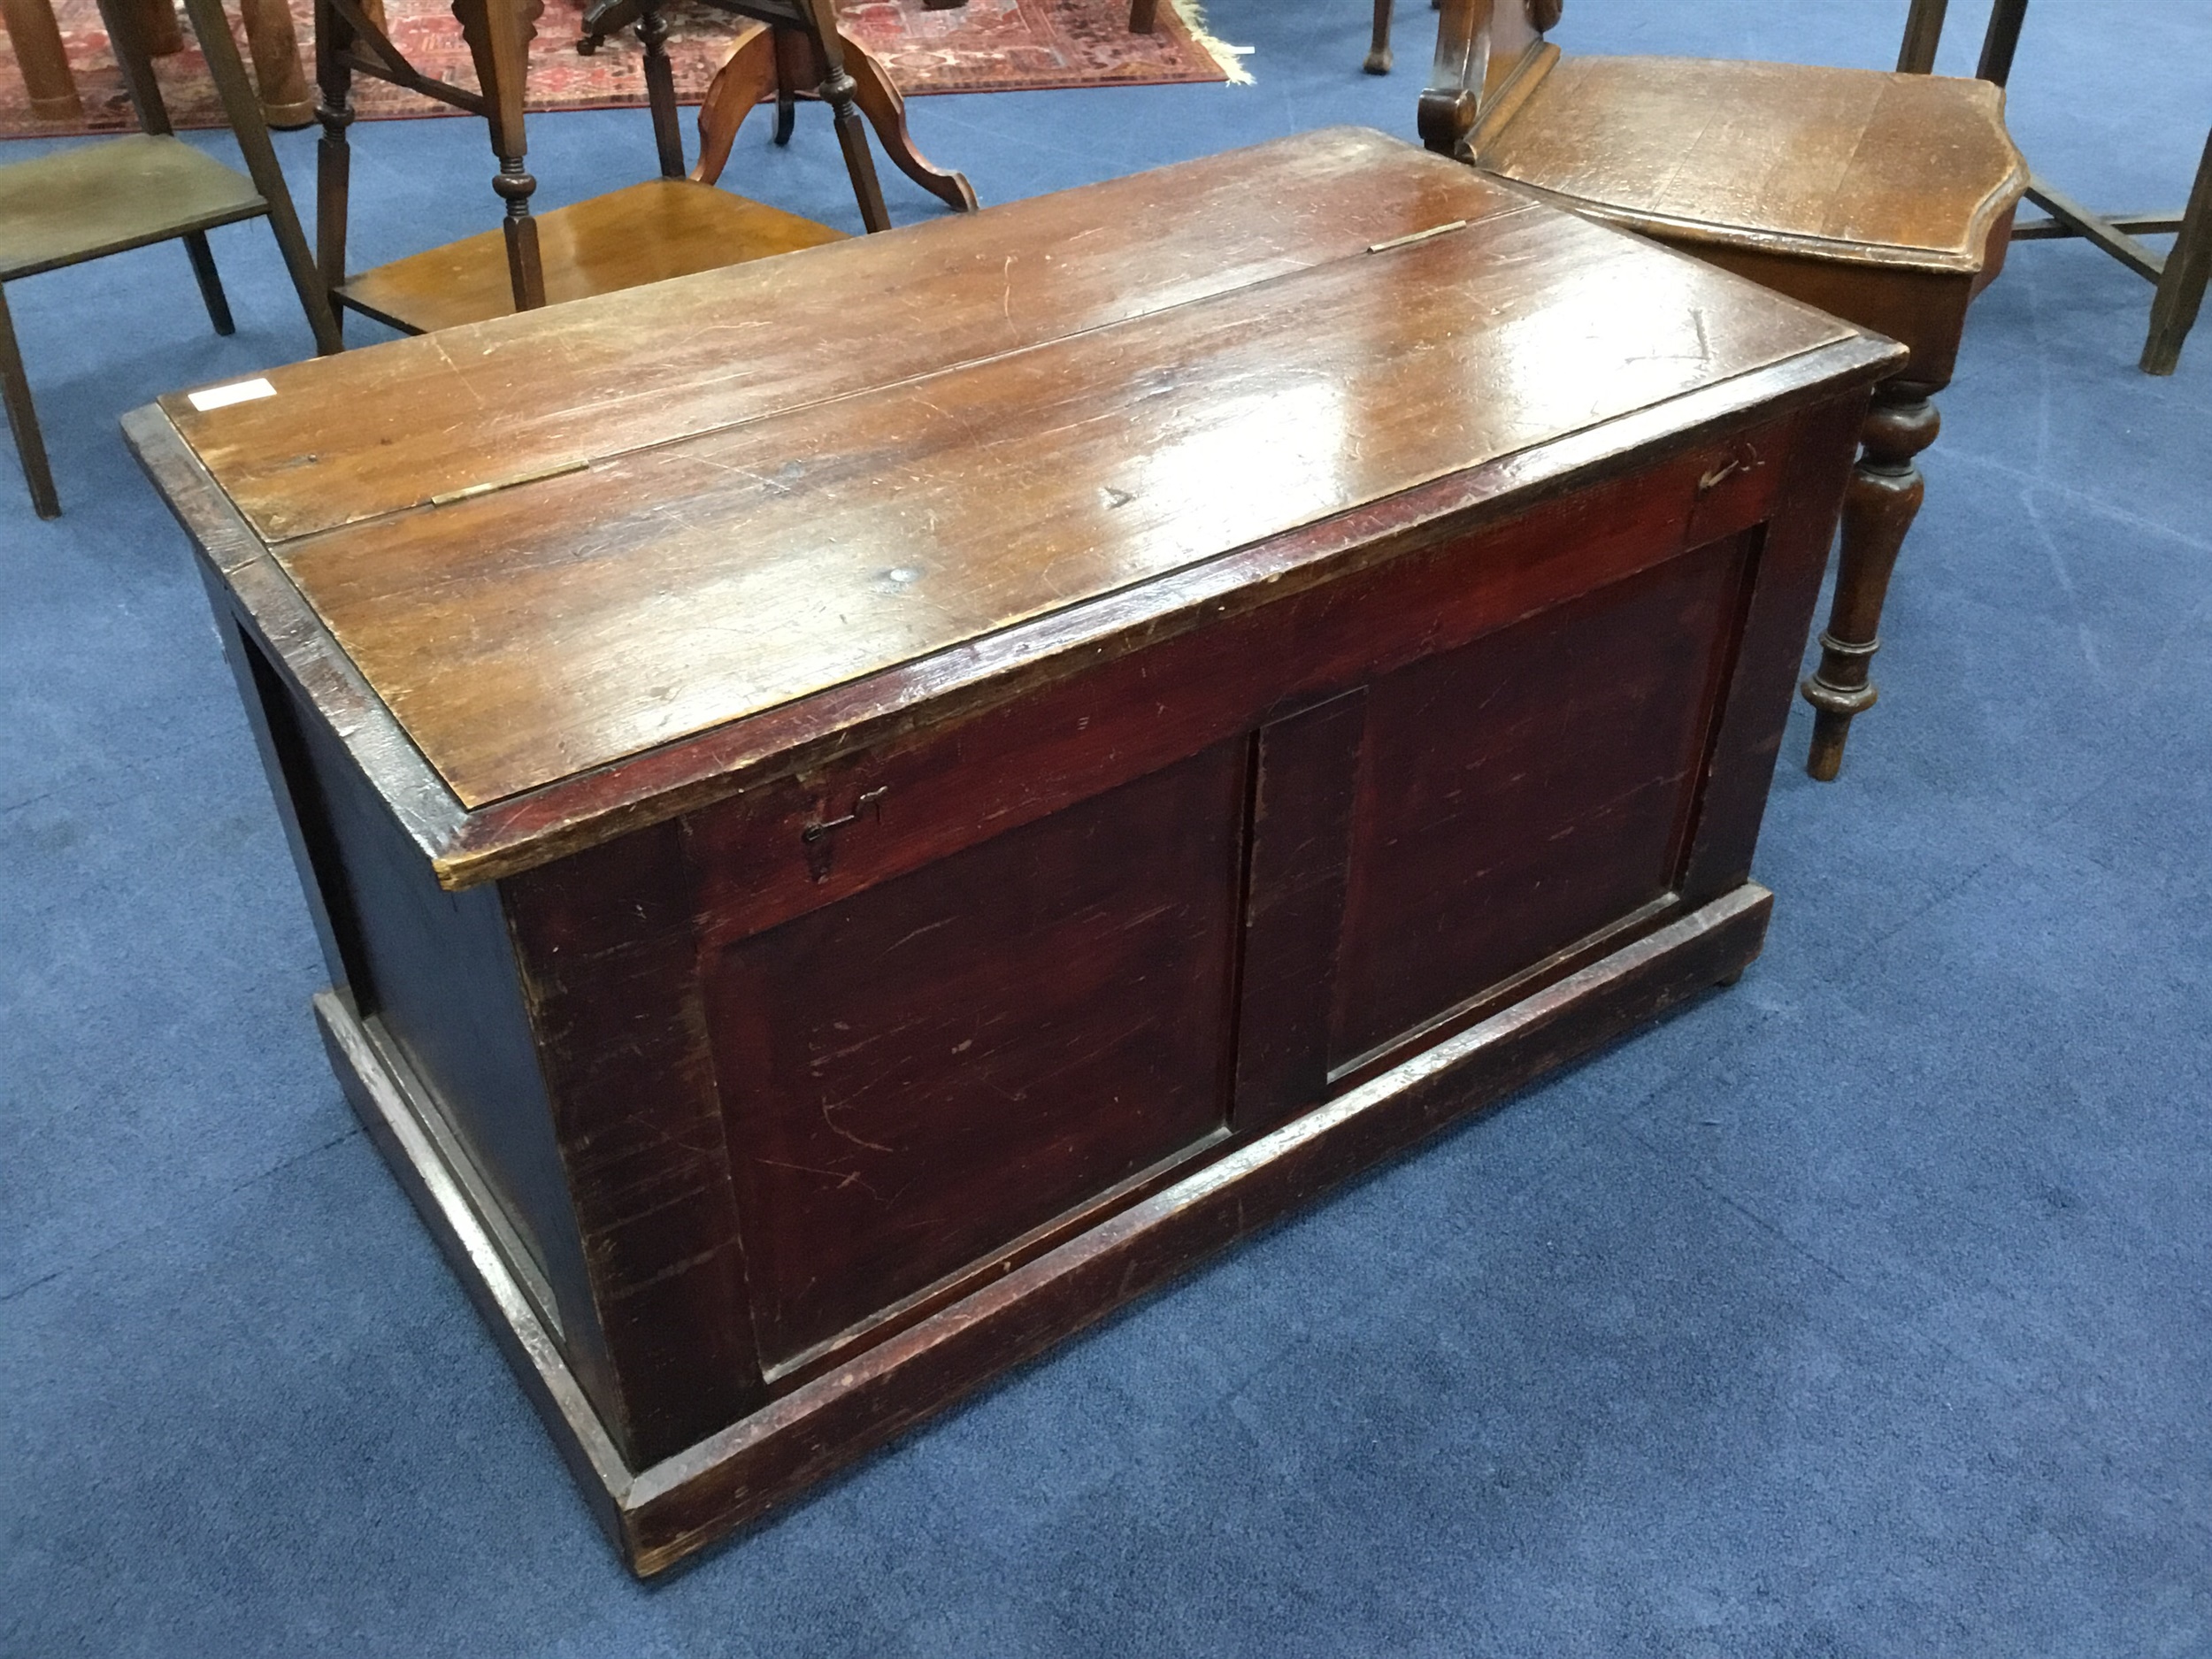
(395, 426)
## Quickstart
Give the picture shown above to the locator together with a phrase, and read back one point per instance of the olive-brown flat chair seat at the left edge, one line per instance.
(112, 196)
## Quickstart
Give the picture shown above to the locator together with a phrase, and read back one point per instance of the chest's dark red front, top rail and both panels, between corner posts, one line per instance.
(972, 992)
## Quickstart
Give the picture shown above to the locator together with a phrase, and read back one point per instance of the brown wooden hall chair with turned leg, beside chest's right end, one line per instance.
(1884, 198)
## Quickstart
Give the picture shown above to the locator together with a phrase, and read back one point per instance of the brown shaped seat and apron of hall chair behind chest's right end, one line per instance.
(1879, 198)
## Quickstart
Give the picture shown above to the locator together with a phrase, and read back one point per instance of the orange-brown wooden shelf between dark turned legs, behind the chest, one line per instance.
(629, 238)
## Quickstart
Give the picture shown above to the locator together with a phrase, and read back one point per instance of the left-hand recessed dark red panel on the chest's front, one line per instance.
(928, 1074)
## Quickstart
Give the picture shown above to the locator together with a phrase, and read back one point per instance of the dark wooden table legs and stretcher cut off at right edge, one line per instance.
(2178, 275)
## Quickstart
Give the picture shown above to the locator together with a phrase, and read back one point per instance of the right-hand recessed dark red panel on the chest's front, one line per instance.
(1527, 791)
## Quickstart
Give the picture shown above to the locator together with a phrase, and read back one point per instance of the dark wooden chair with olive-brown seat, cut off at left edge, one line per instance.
(132, 191)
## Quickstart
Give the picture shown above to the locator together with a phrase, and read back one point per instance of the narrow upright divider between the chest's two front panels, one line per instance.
(1304, 793)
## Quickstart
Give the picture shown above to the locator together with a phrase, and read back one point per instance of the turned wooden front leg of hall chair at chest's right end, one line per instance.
(1879, 508)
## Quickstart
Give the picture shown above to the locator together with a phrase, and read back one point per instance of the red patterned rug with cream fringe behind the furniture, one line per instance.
(983, 48)
